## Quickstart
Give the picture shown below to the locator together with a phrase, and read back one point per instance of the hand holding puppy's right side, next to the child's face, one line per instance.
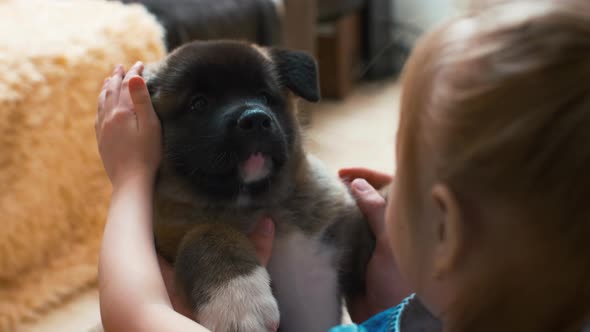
(385, 287)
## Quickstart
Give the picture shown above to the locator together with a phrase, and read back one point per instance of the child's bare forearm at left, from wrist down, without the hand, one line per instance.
(132, 292)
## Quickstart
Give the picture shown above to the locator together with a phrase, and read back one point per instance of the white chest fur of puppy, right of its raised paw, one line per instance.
(305, 283)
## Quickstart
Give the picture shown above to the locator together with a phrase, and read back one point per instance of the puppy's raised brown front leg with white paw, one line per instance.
(216, 269)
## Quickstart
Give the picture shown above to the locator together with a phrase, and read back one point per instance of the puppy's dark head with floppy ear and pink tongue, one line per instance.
(228, 115)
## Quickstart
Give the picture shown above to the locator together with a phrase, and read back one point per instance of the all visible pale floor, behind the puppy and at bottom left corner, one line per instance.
(356, 132)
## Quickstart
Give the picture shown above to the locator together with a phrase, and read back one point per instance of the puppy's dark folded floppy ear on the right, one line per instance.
(298, 71)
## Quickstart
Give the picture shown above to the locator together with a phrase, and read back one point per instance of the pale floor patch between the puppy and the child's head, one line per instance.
(359, 131)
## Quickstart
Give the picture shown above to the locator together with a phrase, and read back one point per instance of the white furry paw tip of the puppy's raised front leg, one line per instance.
(245, 304)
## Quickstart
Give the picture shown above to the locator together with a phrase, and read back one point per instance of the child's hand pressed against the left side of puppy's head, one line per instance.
(127, 129)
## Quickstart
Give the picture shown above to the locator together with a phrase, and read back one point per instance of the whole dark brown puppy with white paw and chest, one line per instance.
(233, 154)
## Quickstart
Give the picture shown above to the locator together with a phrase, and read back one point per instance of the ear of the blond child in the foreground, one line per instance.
(450, 230)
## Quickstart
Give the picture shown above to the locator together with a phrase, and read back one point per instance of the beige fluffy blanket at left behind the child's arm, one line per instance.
(53, 190)
